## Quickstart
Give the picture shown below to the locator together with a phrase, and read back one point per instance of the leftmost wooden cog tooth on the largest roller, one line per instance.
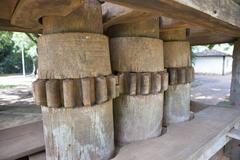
(39, 89)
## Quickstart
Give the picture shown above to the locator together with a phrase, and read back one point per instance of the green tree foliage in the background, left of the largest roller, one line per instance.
(11, 44)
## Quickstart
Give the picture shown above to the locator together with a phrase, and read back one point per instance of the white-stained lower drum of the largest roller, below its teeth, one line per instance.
(79, 133)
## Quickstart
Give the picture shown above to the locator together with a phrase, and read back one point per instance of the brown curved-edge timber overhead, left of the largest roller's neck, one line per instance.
(32, 11)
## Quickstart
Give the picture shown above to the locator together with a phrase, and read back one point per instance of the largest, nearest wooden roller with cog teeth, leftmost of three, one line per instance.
(71, 63)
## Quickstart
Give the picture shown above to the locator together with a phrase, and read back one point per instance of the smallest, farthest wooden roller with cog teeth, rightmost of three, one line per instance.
(177, 61)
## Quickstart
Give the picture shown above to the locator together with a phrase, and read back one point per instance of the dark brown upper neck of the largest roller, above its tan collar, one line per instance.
(86, 18)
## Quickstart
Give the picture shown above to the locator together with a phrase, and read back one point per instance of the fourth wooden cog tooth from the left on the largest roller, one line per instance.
(88, 91)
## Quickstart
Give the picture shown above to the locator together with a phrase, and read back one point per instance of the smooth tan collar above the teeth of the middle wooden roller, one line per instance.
(133, 54)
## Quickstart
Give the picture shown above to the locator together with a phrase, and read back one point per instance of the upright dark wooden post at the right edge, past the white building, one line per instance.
(235, 83)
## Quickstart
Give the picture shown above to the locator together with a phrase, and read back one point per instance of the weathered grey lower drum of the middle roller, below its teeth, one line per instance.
(137, 118)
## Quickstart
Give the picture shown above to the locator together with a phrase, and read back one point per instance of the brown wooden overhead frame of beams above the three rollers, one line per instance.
(215, 21)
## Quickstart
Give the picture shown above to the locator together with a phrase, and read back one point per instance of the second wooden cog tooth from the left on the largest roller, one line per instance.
(53, 93)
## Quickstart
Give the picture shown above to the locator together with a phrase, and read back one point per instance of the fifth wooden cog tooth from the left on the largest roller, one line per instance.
(101, 90)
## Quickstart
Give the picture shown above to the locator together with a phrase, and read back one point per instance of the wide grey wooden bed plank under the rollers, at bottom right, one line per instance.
(198, 139)
